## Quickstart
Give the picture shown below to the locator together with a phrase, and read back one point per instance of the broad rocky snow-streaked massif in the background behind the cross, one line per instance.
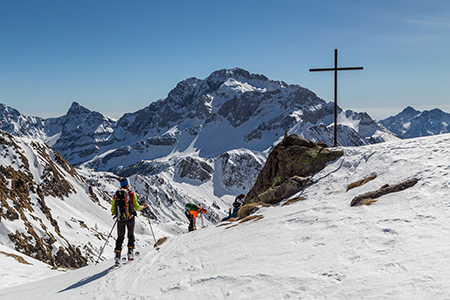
(231, 109)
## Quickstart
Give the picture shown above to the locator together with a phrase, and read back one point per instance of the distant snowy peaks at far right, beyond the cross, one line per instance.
(412, 123)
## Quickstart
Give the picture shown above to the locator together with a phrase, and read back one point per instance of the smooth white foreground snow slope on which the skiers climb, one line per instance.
(319, 248)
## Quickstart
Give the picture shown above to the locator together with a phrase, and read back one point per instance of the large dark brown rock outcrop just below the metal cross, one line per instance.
(294, 156)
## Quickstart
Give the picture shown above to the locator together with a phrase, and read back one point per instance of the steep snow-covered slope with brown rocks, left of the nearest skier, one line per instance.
(44, 202)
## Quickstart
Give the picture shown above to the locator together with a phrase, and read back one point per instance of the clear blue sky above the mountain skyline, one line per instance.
(119, 56)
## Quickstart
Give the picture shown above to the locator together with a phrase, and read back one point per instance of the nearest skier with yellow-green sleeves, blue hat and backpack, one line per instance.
(124, 207)
